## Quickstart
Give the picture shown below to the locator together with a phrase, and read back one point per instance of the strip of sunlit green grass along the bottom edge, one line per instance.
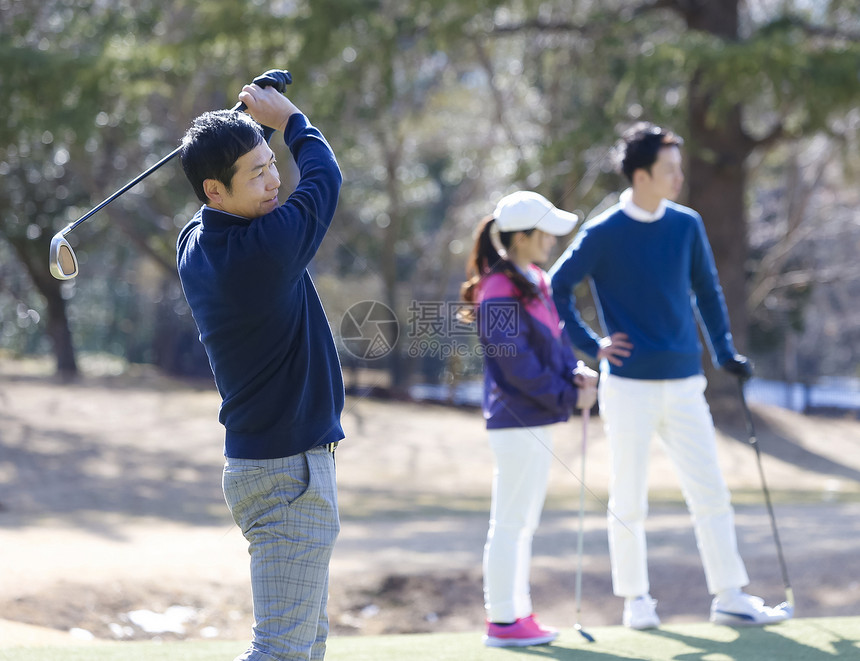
(820, 639)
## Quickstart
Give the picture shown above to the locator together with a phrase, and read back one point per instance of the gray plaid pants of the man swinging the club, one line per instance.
(287, 510)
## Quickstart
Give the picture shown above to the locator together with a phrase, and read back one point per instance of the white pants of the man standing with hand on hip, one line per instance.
(634, 410)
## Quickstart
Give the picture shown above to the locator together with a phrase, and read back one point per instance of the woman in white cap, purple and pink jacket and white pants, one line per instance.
(531, 381)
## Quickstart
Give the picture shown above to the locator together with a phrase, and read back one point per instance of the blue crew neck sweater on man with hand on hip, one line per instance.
(649, 279)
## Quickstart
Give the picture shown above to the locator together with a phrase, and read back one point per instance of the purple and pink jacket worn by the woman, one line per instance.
(528, 360)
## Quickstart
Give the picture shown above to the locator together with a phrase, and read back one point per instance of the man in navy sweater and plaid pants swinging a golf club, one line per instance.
(243, 262)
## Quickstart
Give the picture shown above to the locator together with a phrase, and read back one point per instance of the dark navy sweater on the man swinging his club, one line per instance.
(260, 318)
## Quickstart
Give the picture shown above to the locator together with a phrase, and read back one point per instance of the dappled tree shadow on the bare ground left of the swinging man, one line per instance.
(66, 476)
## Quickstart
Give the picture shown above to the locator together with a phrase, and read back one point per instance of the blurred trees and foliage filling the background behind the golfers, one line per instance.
(435, 109)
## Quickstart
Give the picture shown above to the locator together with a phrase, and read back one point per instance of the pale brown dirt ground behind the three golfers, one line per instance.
(112, 522)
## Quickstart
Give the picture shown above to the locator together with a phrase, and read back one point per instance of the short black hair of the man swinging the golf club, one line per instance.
(214, 143)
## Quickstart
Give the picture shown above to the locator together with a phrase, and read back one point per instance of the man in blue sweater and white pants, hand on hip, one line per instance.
(651, 268)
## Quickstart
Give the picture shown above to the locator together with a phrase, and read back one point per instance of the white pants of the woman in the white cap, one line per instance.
(523, 457)
